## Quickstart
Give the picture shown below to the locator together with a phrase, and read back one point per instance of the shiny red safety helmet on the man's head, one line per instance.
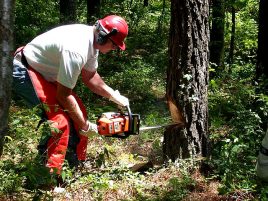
(114, 22)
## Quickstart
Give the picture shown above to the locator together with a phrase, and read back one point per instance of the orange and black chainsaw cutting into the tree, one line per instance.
(122, 125)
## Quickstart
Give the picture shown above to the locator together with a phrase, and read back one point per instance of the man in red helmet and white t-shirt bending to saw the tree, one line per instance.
(46, 71)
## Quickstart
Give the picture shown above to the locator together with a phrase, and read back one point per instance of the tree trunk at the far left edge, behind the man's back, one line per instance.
(6, 46)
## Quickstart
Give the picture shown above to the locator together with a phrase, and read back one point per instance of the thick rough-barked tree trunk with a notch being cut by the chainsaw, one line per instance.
(187, 80)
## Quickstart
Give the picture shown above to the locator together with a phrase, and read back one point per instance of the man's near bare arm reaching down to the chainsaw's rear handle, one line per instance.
(69, 103)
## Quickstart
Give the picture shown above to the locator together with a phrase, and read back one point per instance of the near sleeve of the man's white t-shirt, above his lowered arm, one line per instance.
(70, 68)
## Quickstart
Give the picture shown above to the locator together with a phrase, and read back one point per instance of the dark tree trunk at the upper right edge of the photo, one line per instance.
(262, 59)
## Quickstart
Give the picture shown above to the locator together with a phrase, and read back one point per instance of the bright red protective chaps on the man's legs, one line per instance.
(58, 142)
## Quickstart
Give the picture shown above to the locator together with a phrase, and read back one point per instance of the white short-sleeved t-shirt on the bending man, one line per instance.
(61, 53)
